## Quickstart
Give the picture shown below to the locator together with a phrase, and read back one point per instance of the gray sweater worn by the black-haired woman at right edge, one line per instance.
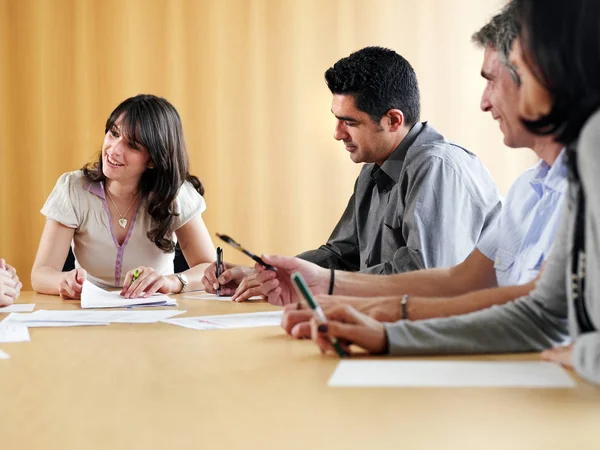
(543, 319)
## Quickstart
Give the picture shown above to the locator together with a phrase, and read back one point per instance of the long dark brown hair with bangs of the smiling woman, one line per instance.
(154, 123)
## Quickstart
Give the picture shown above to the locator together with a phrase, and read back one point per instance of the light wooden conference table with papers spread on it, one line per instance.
(161, 386)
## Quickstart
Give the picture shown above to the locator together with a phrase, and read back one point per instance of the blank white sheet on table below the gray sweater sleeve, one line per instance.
(412, 373)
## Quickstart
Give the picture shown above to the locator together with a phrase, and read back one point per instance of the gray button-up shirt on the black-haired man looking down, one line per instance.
(426, 206)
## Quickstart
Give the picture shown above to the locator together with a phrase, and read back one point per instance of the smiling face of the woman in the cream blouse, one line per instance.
(121, 160)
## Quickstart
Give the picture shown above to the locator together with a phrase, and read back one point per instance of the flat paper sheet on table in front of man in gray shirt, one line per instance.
(229, 321)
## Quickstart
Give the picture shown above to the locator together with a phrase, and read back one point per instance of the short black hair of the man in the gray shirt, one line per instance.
(379, 79)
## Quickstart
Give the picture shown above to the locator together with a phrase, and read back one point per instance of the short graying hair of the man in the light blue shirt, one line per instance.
(500, 33)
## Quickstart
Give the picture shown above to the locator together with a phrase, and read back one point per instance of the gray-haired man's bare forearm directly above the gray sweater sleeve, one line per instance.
(420, 308)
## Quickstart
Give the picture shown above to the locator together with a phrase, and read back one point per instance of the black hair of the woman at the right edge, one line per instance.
(561, 45)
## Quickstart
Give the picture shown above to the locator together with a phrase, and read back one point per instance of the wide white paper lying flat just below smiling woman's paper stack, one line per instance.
(43, 318)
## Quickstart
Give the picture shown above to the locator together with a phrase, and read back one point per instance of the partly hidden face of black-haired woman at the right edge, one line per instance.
(534, 100)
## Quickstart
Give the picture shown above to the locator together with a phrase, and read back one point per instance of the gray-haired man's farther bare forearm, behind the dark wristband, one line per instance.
(424, 283)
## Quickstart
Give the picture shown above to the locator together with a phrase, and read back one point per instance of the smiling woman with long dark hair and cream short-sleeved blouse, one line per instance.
(126, 211)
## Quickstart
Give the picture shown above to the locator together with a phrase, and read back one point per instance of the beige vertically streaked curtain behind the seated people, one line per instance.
(247, 78)
